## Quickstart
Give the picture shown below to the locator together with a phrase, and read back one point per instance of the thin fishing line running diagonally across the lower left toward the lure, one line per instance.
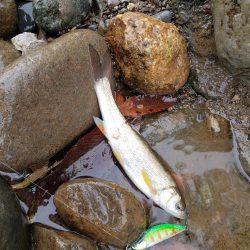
(46, 191)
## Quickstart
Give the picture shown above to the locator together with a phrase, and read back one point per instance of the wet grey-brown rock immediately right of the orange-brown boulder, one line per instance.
(209, 78)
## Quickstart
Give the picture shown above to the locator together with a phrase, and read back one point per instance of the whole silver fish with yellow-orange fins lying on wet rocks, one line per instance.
(135, 156)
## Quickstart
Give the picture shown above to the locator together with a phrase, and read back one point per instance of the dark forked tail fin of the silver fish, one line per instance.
(100, 68)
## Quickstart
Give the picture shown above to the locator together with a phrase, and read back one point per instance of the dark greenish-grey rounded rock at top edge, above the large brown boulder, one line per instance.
(54, 16)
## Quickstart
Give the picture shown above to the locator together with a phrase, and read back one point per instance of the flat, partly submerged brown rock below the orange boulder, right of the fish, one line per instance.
(195, 120)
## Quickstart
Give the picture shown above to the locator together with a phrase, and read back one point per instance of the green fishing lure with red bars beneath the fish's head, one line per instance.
(155, 235)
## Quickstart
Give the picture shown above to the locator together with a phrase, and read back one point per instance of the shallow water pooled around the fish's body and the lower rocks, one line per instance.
(216, 194)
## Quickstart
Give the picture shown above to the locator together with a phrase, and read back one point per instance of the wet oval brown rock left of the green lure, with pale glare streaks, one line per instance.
(102, 210)
